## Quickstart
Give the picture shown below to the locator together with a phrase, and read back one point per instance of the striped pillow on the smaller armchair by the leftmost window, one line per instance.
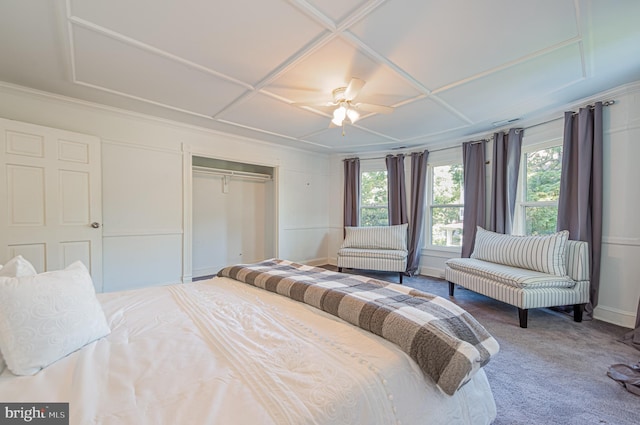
(376, 237)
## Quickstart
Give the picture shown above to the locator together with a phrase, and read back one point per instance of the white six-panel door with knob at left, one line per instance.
(50, 199)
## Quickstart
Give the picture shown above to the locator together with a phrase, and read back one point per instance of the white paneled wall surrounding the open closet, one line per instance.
(144, 185)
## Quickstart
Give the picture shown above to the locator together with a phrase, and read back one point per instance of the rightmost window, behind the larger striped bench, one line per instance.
(540, 191)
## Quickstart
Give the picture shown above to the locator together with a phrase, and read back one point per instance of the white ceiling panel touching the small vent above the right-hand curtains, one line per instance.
(496, 93)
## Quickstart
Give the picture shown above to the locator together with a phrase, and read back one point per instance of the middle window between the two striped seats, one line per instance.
(446, 206)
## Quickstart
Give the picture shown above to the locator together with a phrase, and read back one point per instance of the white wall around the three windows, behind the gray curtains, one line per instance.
(620, 274)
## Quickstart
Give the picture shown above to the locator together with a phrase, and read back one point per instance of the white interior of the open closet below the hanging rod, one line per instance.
(230, 216)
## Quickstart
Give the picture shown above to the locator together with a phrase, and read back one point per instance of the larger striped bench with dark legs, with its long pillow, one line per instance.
(525, 271)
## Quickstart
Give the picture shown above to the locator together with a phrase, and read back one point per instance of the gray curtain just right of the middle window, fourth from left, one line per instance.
(473, 158)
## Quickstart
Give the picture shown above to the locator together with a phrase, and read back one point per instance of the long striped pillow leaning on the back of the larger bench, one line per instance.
(545, 254)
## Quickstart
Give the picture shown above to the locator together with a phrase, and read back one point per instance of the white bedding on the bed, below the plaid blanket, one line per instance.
(223, 352)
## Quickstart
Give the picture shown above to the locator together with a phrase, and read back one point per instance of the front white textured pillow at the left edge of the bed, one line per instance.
(45, 317)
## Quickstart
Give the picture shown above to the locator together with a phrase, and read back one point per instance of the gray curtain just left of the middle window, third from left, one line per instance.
(418, 194)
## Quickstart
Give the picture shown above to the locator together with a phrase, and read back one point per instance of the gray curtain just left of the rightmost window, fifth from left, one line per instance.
(505, 167)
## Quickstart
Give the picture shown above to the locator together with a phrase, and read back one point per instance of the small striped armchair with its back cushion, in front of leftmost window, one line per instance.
(380, 248)
